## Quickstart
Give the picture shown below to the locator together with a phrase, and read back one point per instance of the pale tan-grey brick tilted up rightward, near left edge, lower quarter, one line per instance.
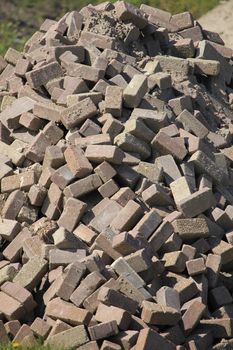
(31, 273)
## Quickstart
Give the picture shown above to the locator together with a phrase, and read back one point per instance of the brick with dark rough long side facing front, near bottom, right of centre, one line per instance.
(155, 314)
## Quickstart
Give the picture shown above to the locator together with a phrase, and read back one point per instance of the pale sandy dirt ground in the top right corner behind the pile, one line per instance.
(220, 20)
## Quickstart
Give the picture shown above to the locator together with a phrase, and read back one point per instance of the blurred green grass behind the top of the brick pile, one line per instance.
(19, 19)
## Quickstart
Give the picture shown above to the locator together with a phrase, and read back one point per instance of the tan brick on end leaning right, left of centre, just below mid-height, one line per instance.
(77, 208)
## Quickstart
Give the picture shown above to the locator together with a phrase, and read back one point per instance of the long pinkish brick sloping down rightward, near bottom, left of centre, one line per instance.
(67, 312)
